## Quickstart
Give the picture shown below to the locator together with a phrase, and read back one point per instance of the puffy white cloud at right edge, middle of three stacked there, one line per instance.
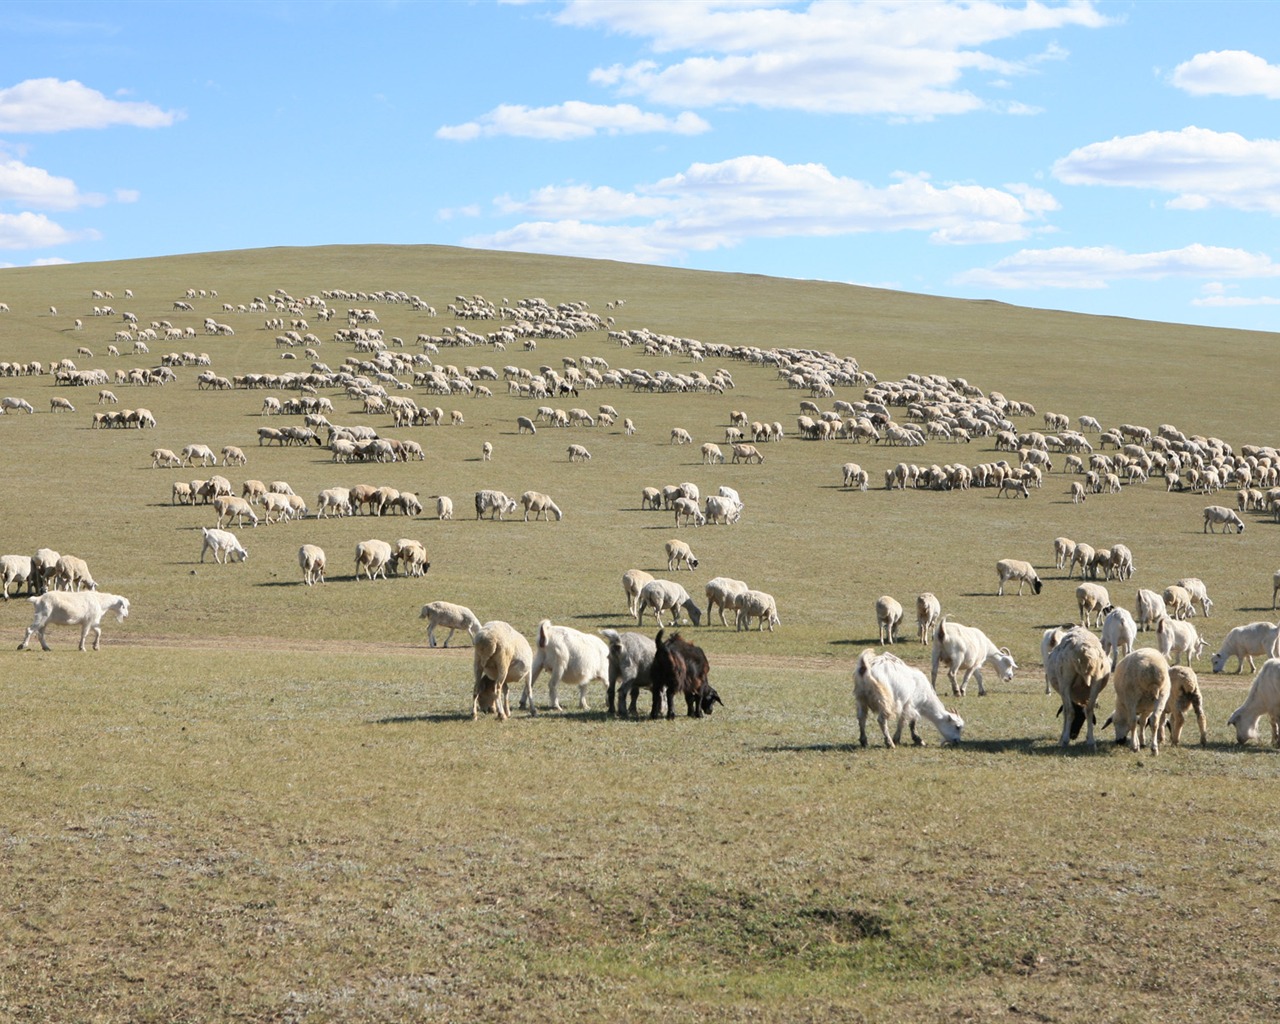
(1203, 168)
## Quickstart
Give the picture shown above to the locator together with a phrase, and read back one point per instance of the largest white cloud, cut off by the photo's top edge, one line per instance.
(900, 60)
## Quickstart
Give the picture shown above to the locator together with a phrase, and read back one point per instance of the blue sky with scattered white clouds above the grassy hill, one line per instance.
(1105, 158)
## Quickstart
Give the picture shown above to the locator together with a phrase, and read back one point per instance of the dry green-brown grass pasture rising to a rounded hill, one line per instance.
(269, 802)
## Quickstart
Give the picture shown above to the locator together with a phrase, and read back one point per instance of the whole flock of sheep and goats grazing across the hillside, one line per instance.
(912, 413)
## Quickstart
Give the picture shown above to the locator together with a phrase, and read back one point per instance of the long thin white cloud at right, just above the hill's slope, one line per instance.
(1099, 267)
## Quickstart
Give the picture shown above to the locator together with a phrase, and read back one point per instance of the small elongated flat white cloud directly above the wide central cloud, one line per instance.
(569, 121)
